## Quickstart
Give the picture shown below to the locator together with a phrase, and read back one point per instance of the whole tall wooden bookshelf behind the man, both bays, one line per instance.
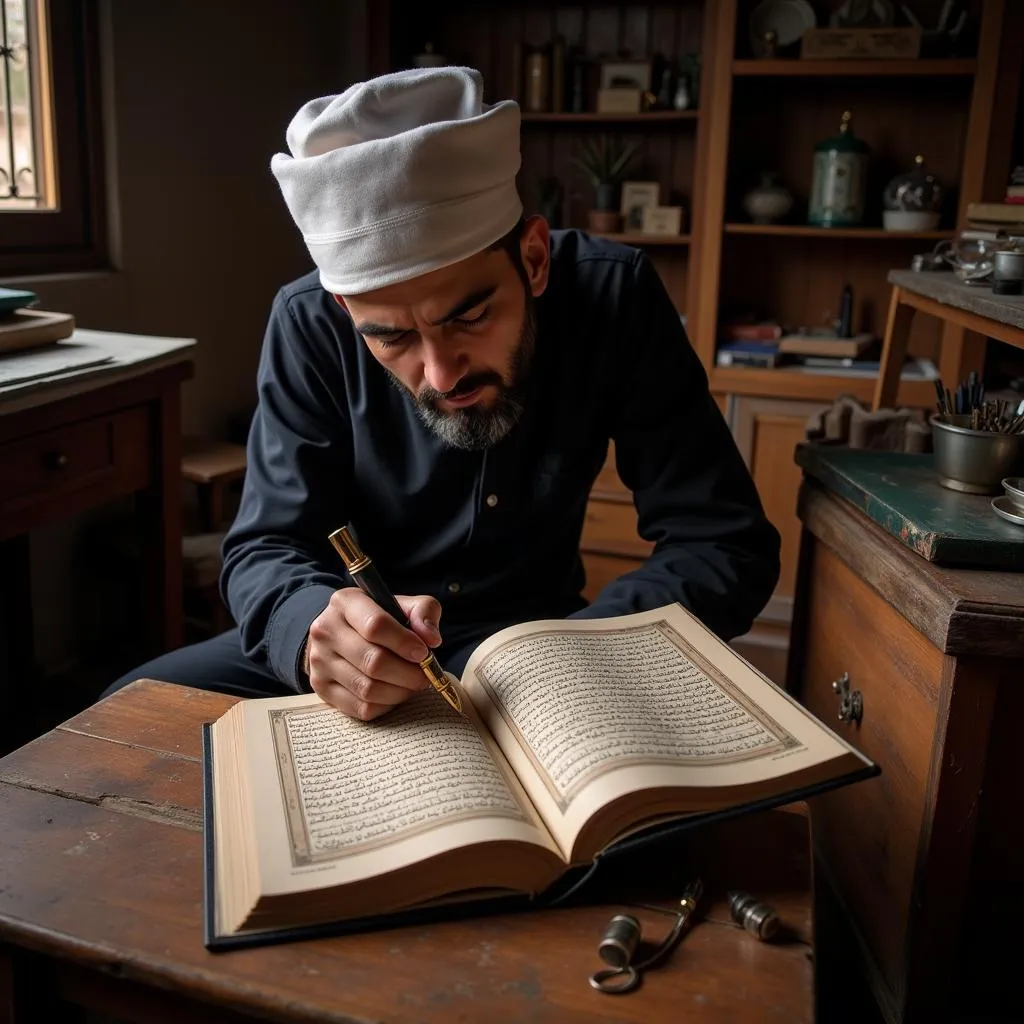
(752, 116)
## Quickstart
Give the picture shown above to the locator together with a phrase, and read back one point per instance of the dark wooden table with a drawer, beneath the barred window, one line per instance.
(72, 443)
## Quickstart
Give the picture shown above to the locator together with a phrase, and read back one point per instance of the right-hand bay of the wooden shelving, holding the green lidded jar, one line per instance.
(769, 116)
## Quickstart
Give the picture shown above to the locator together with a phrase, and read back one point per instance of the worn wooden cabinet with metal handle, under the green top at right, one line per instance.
(924, 860)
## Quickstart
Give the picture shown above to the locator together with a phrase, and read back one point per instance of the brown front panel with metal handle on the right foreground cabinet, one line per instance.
(876, 871)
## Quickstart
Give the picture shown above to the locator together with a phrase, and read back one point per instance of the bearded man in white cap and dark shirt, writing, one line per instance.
(448, 380)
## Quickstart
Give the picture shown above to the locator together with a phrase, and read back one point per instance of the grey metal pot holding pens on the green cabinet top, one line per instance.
(972, 461)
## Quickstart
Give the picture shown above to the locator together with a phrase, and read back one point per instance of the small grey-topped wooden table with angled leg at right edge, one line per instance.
(940, 294)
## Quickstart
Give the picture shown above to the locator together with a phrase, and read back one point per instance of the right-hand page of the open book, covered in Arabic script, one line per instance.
(589, 710)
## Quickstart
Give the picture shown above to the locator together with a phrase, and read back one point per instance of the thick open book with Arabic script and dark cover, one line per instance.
(576, 735)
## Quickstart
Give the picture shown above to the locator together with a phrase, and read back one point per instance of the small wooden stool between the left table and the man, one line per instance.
(212, 467)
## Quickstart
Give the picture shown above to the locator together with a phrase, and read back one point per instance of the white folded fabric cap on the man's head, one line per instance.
(401, 176)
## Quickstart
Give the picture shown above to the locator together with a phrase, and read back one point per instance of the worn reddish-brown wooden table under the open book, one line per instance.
(101, 876)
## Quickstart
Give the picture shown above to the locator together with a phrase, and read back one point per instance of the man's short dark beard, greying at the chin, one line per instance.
(477, 428)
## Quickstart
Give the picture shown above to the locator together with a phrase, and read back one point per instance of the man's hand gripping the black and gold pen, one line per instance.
(363, 662)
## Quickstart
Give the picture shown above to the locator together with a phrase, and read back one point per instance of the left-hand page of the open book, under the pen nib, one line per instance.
(347, 800)
